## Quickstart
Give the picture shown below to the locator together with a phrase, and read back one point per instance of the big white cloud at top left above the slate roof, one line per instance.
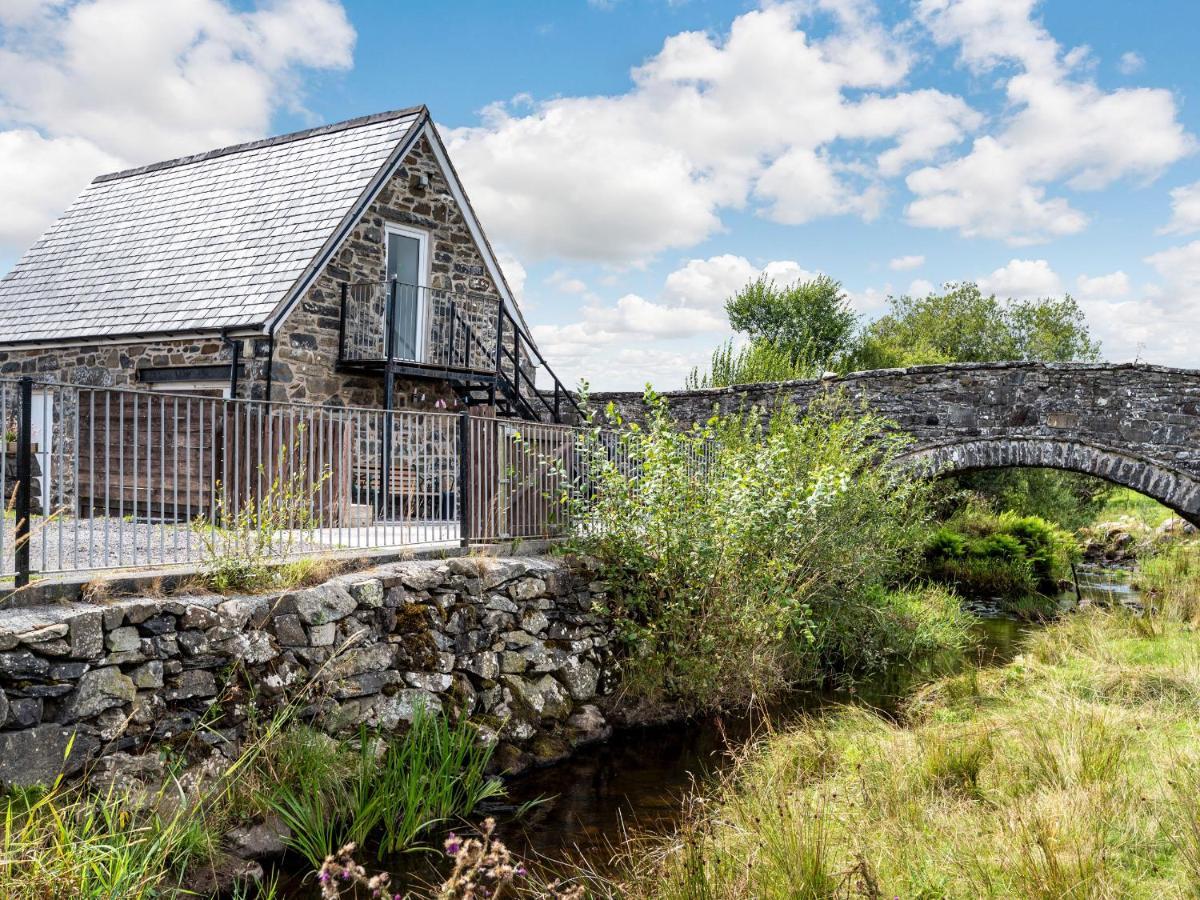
(92, 86)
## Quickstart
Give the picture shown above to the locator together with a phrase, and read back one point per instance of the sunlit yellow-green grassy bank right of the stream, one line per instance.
(1073, 772)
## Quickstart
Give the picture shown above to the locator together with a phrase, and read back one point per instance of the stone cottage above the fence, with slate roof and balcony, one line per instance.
(337, 266)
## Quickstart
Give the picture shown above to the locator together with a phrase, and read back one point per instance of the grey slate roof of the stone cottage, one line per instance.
(207, 242)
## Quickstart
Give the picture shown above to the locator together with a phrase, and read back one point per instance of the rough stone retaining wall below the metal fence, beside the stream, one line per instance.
(514, 644)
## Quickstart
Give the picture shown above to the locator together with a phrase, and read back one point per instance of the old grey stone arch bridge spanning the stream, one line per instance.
(1135, 425)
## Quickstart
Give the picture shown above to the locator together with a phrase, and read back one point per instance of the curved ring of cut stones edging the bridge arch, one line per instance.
(1174, 489)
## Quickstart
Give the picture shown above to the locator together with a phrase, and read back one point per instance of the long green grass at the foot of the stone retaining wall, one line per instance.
(70, 842)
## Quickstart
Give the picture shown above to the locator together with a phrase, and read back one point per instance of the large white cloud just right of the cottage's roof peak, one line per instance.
(767, 117)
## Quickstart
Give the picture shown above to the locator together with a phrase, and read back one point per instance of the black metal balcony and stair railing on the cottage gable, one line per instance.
(463, 335)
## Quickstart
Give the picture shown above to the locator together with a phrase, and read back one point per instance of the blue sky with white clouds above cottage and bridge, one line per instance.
(637, 160)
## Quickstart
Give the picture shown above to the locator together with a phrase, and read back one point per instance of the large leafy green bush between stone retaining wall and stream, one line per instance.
(736, 549)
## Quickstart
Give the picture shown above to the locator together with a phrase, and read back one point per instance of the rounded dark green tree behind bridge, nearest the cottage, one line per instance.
(811, 321)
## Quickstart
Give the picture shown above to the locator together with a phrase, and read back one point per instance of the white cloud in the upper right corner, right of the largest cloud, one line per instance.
(1061, 128)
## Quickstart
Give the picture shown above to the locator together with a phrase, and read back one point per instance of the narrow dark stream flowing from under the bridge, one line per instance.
(580, 811)
